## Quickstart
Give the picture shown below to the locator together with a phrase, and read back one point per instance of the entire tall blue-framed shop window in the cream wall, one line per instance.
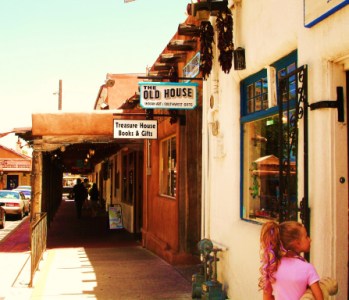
(261, 125)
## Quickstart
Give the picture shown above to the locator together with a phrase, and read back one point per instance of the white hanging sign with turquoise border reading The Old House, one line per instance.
(168, 95)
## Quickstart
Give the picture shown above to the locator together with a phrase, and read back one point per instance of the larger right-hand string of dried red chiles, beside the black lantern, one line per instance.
(224, 25)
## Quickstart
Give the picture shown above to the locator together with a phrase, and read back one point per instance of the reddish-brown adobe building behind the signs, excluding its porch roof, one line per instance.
(157, 182)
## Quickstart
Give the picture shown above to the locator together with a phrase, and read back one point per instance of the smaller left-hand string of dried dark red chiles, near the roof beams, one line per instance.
(206, 55)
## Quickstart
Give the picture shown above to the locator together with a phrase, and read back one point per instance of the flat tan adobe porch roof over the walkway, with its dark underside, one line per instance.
(71, 136)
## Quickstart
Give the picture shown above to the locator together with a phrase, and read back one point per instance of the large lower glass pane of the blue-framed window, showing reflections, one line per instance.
(261, 181)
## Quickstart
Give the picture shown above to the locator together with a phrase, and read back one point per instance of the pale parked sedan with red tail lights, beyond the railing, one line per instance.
(14, 202)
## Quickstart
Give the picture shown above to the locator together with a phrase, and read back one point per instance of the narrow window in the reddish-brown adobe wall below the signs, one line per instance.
(168, 167)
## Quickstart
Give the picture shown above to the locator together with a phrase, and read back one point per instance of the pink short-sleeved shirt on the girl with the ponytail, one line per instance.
(292, 278)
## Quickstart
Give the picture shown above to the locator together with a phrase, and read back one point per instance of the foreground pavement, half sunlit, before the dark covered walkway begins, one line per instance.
(108, 273)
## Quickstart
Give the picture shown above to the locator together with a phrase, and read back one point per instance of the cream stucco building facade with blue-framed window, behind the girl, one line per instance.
(296, 56)
